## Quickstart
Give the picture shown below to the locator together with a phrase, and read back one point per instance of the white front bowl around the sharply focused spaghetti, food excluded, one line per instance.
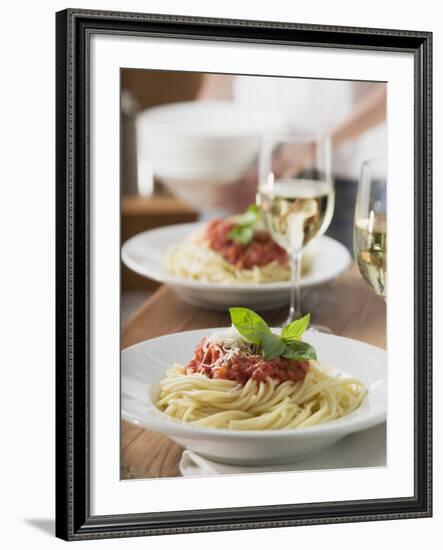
(145, 364)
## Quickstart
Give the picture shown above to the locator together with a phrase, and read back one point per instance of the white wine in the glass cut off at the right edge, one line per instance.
(370, 250)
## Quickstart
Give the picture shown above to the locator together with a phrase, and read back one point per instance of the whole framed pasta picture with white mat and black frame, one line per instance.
(238, 346)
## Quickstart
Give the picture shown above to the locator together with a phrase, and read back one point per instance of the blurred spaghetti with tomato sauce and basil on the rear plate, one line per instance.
(225, 251)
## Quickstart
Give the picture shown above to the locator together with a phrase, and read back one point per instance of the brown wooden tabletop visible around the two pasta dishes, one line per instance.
(346, 305)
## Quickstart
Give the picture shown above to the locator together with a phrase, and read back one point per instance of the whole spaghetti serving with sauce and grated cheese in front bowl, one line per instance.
(230, 384)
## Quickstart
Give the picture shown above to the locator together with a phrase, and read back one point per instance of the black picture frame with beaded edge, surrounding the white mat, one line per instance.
(74, 28)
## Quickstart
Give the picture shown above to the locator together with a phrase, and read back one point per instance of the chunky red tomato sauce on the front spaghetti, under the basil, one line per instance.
(208, 360)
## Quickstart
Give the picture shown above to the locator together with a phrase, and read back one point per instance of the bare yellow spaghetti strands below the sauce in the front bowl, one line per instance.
(268, 405)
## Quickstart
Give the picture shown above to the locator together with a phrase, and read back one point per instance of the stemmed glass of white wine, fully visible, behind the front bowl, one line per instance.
(296, 195)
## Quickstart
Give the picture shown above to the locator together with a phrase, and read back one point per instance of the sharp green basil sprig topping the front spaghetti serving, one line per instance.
(288, 344)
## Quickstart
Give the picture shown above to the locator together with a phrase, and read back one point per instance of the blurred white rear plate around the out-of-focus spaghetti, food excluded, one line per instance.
(144, 253)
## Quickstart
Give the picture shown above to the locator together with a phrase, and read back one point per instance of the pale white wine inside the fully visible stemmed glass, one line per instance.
(297, 210)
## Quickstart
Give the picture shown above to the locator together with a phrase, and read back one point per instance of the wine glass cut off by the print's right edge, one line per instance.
(370, 225)
